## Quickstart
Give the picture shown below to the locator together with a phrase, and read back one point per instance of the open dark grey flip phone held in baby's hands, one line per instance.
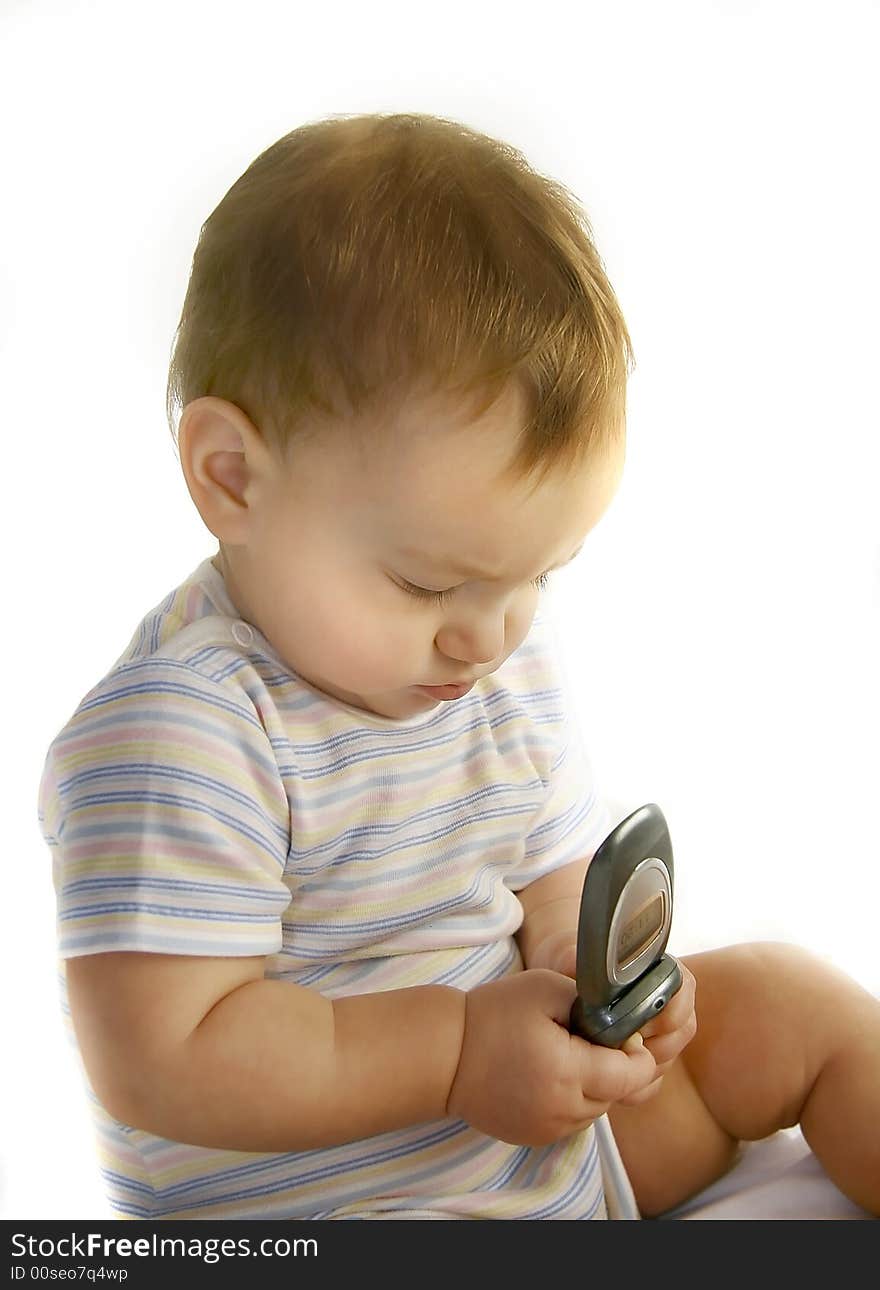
(624, 976)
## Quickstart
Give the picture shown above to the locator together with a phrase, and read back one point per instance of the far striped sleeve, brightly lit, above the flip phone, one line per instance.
(575, 819)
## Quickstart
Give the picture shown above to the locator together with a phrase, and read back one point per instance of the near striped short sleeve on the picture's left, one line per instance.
(167, 819)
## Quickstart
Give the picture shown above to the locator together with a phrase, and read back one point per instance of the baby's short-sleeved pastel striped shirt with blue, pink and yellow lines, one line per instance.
(207, 800)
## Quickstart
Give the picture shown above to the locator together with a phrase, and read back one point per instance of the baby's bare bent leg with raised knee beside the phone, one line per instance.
(781, 1039)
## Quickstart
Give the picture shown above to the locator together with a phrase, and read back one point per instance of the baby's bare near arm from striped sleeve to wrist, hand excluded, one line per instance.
(210, 1052)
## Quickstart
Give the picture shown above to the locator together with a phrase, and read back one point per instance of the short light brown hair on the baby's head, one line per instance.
(361, 259)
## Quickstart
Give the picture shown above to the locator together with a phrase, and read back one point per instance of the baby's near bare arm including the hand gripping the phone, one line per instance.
(212, 1053)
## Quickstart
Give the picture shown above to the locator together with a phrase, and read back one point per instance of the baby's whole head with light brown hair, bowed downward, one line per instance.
(402, 372)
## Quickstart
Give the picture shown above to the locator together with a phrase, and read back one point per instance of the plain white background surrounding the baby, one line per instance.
(721, 630)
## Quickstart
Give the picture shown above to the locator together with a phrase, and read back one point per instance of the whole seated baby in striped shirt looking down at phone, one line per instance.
(319, 837)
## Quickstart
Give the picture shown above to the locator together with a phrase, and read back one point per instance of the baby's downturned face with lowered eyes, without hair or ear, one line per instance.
(335, 544)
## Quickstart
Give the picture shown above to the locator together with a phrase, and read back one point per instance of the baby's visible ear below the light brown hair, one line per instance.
(220, 451)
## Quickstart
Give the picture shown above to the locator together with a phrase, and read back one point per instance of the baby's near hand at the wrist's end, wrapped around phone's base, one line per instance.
(523, 1078)
